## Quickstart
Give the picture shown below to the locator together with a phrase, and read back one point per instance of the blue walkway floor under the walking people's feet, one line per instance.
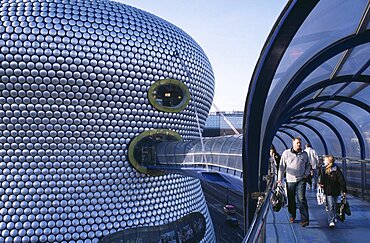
(355, 229)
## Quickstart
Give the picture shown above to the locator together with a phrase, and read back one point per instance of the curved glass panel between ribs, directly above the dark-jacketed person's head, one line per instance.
(329, 136)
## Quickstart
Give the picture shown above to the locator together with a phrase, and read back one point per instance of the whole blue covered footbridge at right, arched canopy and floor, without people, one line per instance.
(312, 81)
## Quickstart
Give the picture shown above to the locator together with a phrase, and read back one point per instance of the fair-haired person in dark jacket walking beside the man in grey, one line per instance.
(332, 180)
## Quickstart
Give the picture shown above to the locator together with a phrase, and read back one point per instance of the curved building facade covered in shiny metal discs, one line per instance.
(74, 92)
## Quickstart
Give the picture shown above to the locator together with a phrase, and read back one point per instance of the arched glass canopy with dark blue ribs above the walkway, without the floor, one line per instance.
(312, 81)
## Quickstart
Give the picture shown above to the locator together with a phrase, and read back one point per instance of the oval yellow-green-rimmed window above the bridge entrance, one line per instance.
(169, 95)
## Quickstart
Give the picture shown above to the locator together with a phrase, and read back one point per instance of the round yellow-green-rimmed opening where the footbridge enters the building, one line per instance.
(142, 153)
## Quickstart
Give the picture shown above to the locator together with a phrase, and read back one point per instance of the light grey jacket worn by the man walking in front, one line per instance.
(296, 165)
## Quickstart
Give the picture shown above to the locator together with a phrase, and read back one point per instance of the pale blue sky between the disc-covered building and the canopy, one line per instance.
(231, 33)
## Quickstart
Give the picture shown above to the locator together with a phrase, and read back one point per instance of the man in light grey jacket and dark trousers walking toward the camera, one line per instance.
(294, 162)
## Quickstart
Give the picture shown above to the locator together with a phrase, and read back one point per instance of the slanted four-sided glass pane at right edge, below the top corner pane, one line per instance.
(358, 57)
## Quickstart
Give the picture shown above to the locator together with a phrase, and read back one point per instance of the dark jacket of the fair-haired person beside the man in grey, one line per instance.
(333, 182)
